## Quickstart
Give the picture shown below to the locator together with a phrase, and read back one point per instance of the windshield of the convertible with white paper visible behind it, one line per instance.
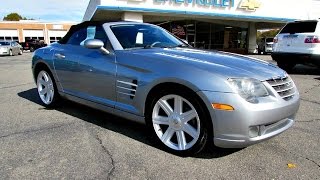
(132, 36)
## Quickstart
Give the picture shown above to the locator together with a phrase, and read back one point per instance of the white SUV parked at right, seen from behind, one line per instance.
(297, 43)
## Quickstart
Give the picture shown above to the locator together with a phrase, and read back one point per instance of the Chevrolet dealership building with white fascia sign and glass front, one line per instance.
(229, 25)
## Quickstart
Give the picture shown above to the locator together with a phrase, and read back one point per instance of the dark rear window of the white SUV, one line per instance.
(300, 27)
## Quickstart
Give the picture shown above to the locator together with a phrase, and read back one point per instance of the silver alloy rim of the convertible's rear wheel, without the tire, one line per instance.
(45, 87)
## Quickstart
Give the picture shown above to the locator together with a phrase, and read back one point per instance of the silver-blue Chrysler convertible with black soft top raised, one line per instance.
(187, 97)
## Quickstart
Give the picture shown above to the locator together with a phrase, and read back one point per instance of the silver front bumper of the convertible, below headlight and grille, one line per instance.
(273, 115)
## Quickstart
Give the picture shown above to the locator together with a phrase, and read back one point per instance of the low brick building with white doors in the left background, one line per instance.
(21, 31)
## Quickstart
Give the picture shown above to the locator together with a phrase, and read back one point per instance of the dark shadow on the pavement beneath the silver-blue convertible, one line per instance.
(116, 124)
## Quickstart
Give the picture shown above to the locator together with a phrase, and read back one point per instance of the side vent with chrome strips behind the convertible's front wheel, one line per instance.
(127, 88)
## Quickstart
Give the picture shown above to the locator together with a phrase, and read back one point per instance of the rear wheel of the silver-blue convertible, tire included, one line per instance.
(47, 89)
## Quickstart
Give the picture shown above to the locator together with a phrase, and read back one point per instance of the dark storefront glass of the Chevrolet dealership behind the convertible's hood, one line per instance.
(206, 35)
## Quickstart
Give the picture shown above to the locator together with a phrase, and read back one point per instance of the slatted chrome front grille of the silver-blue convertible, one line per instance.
(284, 87)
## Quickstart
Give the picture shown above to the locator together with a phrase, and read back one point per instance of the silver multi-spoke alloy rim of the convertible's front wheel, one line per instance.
(176, 122)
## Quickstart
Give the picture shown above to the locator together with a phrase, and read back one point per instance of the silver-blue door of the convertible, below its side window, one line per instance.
(96, 76)
